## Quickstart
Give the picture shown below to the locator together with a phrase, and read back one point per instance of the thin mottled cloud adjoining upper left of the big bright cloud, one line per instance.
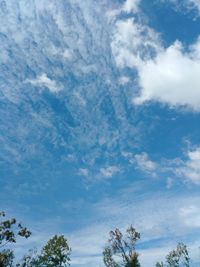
(132, 42)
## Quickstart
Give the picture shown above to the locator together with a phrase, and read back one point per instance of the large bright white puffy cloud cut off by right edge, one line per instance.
(172, 77)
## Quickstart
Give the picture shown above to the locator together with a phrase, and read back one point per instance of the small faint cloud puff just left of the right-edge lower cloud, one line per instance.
(144, 163)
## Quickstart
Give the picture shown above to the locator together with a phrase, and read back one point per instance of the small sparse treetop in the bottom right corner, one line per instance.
(178, 257)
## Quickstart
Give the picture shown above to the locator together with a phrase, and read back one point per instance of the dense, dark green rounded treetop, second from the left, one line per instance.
(56, 253)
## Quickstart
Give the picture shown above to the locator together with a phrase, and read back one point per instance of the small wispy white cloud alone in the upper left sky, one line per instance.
(44, 81)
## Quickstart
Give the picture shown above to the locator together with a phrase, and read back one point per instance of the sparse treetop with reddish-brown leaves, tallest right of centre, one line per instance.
(122, 247)
